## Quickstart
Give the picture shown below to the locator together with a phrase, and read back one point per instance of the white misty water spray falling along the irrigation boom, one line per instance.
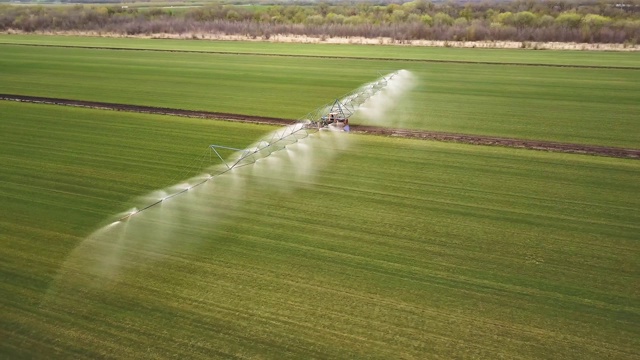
(106, 257)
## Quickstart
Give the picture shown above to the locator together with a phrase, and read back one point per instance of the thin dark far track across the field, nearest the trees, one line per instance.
(334, 57)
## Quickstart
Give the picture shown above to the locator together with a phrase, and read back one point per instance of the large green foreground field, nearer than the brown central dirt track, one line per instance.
(397, 249)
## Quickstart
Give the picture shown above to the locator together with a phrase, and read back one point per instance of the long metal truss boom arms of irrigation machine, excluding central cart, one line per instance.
(280, 139)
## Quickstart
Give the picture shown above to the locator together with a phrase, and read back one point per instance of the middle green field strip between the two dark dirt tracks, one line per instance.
(592, 106)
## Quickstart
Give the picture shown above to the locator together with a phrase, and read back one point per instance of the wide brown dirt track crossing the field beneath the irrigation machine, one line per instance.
(405, 133)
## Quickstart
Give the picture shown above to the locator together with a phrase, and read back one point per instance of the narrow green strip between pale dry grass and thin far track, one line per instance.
(579, 58)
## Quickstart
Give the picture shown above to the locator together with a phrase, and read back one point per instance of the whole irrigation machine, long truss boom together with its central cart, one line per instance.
(331, 117)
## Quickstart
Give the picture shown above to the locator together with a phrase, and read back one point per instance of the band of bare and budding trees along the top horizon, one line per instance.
(602, 21)
